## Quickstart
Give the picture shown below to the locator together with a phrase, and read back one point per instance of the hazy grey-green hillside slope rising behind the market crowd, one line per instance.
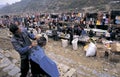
(58, 5)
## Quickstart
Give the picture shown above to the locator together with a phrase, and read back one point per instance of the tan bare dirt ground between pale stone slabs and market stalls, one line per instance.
(90, 66)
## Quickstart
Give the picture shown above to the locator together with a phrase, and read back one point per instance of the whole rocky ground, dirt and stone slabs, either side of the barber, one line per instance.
(71, 63)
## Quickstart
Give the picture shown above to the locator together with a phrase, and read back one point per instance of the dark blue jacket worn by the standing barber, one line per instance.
(21, 44)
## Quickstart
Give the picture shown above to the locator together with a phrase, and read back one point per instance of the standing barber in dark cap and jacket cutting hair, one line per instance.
(22, 44)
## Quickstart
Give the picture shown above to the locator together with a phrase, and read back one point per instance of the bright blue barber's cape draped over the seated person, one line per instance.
(50, 67)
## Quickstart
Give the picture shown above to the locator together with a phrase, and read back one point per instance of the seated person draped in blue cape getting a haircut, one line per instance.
(42, 65)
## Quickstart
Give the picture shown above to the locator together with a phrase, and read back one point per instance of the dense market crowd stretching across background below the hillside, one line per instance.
(65, 22)
